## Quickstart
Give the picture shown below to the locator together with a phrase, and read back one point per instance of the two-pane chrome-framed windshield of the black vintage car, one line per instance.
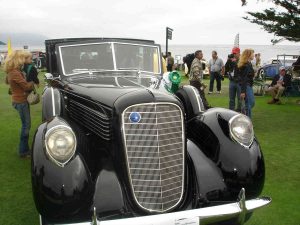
(101, 57)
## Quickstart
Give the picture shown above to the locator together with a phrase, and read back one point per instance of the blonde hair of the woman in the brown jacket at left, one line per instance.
(14, 60)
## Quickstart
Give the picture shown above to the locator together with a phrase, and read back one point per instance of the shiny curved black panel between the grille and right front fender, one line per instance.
(208, 176)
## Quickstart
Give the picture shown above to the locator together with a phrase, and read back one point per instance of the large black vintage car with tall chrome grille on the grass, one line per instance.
(121, 143)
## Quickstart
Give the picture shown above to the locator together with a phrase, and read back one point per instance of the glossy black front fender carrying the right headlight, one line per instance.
(241, 167)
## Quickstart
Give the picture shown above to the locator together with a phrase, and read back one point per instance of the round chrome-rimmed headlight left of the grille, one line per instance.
(60, 144)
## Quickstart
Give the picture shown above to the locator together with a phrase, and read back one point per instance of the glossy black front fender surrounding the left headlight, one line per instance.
(59, 192)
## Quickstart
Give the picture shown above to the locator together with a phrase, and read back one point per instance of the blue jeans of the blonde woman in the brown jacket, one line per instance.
(24, 112)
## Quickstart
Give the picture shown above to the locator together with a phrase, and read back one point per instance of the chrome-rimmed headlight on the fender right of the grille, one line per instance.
(241, 130)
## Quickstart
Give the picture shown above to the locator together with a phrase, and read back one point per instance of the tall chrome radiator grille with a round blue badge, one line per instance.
(155, 154)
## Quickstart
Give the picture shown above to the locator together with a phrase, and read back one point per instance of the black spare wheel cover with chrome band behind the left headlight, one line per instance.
(51, 104)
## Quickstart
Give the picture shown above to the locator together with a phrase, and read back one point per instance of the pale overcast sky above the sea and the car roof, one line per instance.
(193, 21)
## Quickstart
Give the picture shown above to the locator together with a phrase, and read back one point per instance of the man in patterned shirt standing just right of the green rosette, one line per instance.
(196, 76)
